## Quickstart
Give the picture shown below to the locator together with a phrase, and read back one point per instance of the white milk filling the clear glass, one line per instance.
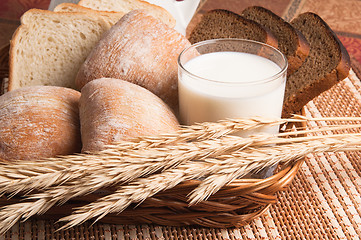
(230, 85)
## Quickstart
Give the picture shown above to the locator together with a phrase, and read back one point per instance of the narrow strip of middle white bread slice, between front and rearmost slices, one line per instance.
(110, 17)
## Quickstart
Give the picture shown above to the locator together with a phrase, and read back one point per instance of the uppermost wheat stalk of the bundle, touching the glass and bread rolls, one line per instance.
(41, 174)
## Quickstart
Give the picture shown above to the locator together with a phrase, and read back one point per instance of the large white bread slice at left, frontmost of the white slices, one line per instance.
(49, 47)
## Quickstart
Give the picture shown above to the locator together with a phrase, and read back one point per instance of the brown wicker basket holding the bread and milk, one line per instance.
(232, 206)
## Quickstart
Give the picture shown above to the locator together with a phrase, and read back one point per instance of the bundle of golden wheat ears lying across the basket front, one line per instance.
(143, 167)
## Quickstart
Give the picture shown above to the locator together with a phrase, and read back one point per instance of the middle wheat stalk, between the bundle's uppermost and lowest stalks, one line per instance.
(110, 172)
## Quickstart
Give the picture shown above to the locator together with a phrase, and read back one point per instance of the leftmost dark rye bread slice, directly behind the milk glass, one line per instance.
(220, 23)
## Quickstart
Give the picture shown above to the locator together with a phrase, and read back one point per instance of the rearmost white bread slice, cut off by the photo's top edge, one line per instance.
(126, 6)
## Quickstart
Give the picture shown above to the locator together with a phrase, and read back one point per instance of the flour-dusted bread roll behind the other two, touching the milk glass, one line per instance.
(139, 49)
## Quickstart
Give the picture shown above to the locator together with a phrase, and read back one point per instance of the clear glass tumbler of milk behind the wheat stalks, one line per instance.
(231, 78)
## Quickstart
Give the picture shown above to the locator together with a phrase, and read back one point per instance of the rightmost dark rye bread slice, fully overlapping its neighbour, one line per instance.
(327, 63)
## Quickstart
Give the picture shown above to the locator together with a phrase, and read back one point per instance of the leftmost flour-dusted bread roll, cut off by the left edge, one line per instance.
(38, 122)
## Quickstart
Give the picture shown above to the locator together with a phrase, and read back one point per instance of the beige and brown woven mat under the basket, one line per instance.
(323, 201)
